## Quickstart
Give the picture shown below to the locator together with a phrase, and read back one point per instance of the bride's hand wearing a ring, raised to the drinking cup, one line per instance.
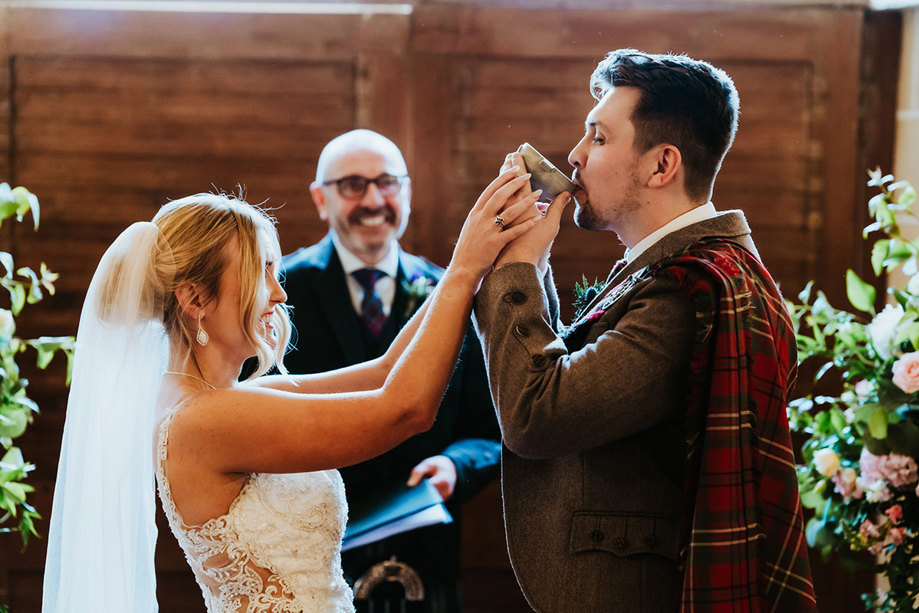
(500, 215)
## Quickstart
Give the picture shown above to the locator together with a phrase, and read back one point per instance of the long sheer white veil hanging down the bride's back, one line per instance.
(102, 534)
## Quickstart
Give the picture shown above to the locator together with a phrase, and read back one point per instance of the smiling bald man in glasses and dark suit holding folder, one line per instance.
(351, 293)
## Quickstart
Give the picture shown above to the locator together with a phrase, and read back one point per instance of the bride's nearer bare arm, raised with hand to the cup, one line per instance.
(250, 429)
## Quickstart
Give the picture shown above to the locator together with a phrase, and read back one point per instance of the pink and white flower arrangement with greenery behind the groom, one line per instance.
(860, 474)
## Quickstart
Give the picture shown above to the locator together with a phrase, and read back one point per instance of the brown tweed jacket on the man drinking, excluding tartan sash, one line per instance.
(593, 456)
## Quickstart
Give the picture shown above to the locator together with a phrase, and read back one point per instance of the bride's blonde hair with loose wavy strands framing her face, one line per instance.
(197, 229)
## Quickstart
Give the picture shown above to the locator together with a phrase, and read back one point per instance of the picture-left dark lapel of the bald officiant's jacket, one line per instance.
(331, 289)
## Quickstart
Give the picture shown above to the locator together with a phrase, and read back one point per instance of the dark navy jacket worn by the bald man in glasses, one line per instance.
(328, 335)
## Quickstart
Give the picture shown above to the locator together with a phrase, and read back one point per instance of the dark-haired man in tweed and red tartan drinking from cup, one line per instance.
(647, 462)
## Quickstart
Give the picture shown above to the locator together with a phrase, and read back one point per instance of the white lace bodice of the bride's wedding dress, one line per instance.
(277, 549)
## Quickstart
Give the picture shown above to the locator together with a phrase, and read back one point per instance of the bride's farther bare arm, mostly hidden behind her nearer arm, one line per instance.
(363, 376)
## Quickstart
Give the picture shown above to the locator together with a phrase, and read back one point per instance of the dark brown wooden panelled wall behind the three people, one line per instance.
(106, 115)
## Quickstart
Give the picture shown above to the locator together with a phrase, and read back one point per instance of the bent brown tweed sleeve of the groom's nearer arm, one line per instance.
(628, 376)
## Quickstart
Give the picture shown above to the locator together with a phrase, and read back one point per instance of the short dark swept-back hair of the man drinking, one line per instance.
(684, 102)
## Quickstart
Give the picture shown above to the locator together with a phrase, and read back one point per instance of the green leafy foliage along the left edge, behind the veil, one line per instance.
(24, 286)
